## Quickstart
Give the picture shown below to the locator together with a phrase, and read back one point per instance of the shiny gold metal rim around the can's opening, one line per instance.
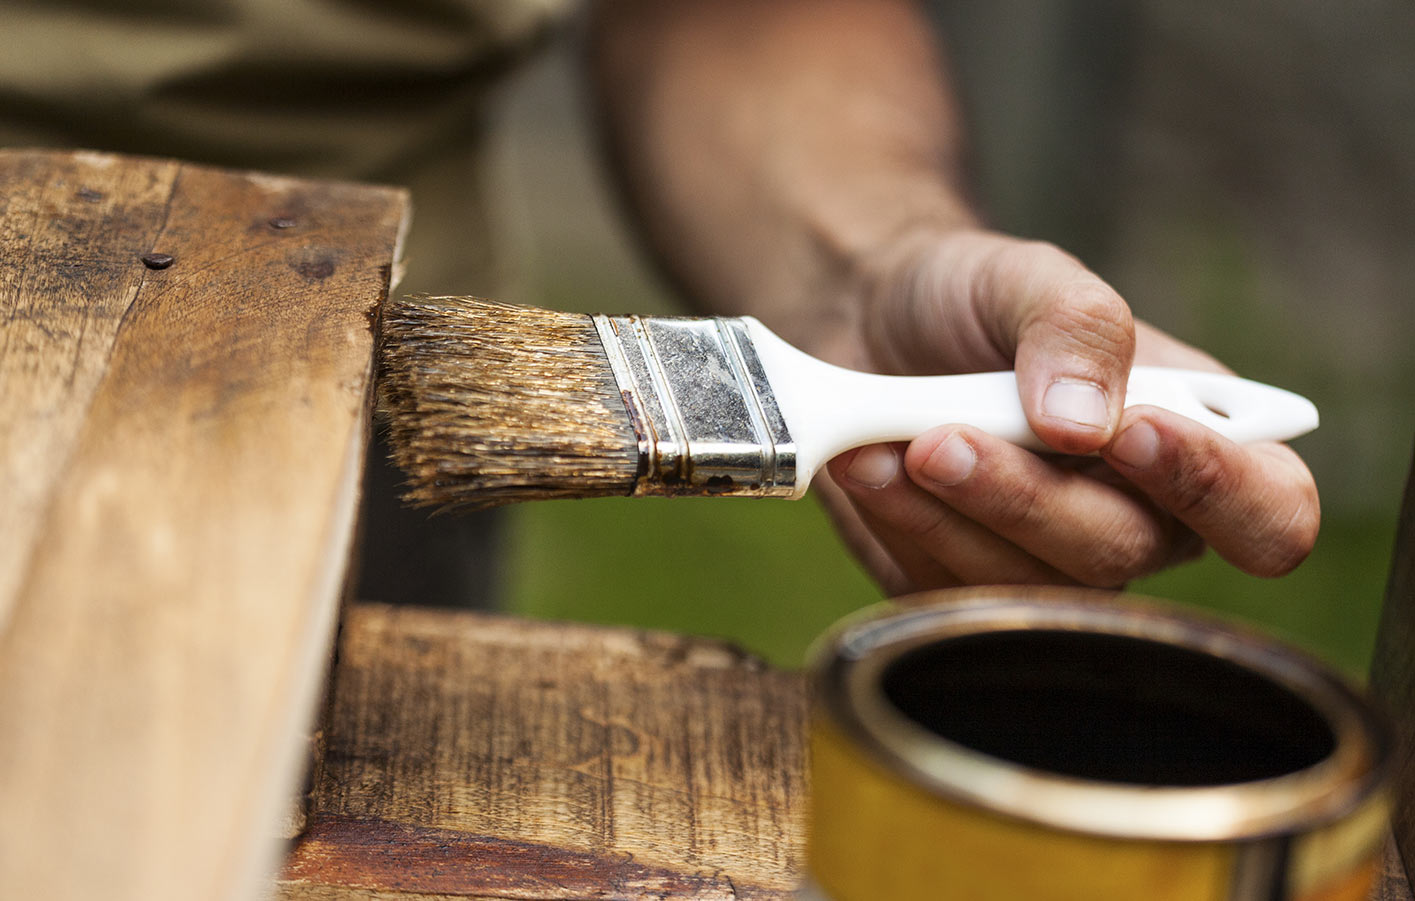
(853, 665)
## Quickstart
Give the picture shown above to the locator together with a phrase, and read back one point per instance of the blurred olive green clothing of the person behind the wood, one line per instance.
(391, 91)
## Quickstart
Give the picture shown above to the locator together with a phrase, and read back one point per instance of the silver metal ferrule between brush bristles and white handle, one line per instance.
(701, 405)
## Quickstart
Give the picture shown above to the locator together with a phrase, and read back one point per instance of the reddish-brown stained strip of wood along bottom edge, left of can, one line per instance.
(386, 856)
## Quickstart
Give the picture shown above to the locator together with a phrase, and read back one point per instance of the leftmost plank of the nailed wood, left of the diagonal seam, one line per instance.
(71, 231)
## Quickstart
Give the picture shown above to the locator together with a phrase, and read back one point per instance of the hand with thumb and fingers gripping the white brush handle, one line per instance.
(959, 507)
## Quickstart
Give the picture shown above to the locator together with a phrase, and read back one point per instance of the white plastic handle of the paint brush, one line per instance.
(830, 409)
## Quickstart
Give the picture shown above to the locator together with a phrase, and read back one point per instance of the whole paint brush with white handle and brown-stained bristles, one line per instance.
(493, 404)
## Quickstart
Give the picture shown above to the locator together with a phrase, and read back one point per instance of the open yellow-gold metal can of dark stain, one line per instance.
(1055, 745)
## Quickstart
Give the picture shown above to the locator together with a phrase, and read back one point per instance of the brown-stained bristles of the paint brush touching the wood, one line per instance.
(495, 404)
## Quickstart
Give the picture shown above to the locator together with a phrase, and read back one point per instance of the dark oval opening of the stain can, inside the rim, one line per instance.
(1109, 708)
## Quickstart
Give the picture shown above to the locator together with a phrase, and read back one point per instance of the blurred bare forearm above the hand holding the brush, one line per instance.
(773, 151)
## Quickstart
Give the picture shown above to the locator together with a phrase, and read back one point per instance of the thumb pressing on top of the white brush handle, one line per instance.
(1075, 343)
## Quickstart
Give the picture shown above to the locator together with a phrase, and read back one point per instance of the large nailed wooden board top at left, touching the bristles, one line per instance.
(189, 441)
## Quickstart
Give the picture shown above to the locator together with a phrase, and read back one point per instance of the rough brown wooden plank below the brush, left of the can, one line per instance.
(483, 757)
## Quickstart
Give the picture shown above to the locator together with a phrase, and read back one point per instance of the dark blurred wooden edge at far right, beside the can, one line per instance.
(1393, 671)
